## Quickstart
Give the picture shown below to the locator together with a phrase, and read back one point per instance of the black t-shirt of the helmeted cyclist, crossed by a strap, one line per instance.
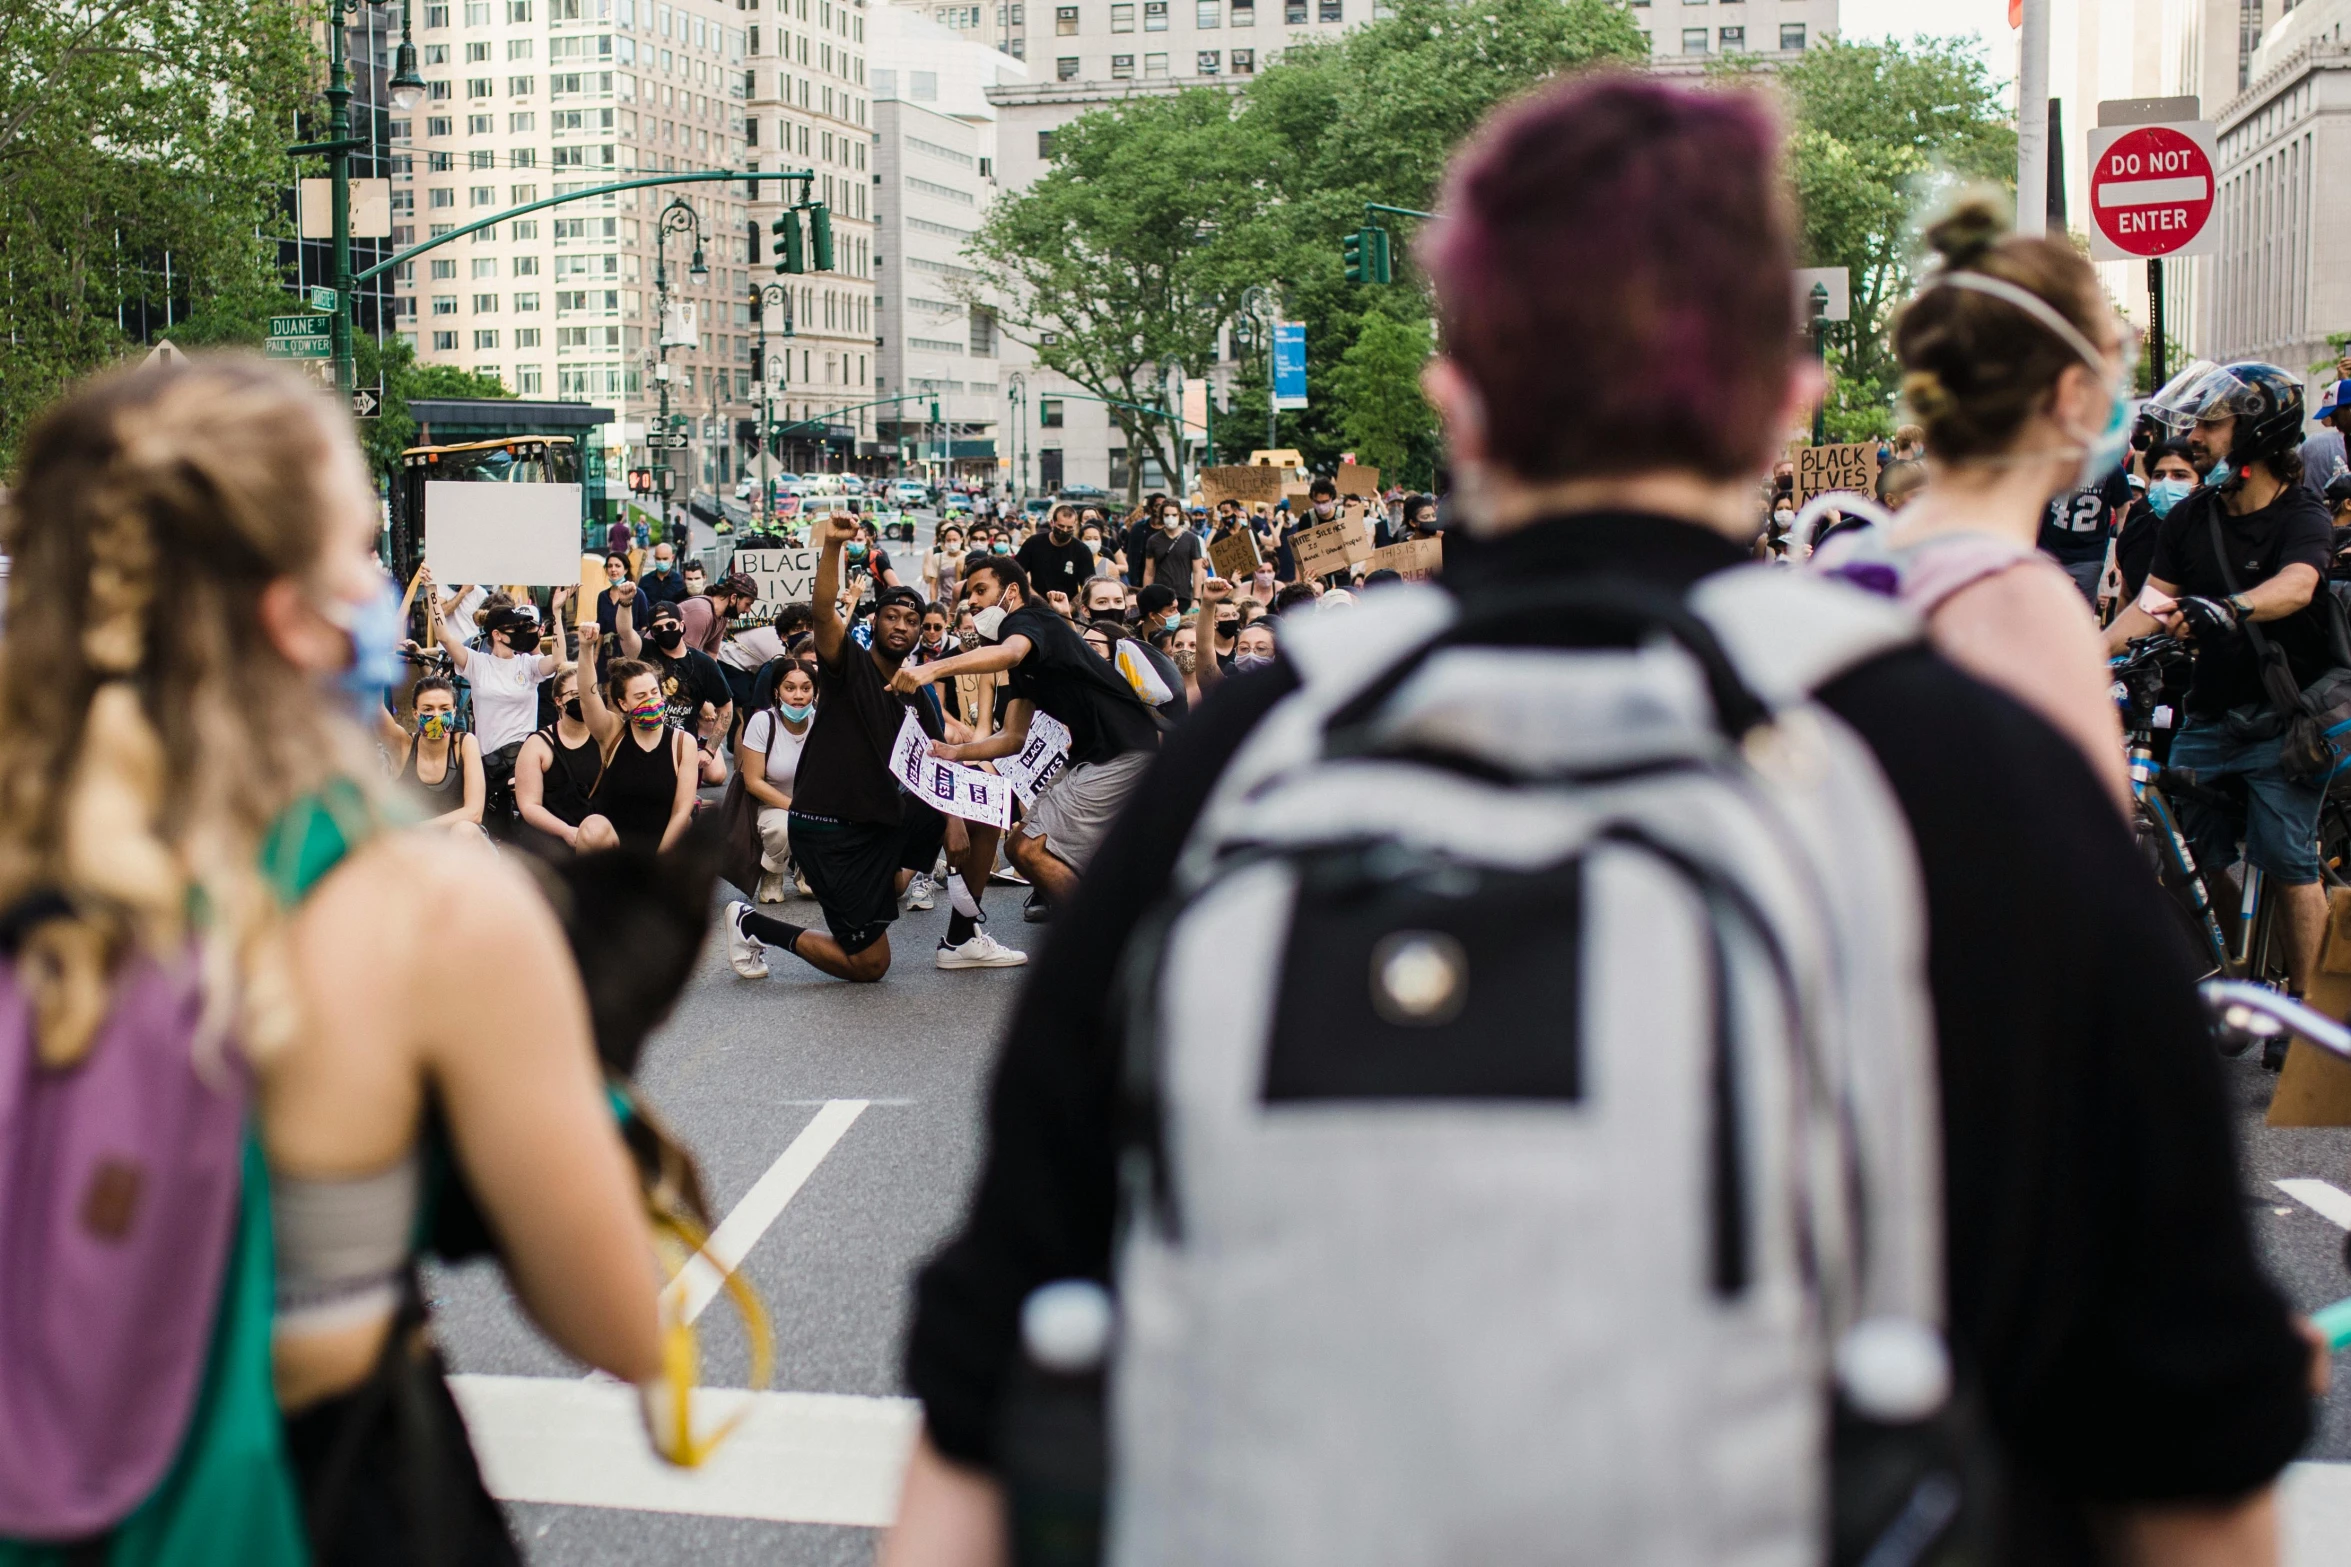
(2293, 527)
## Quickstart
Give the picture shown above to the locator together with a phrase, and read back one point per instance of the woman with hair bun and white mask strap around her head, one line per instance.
(2021, 375)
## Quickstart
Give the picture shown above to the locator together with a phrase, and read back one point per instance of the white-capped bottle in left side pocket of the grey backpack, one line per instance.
(1052, 1444)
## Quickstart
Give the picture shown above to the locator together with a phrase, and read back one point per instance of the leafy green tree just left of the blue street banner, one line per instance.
(1130, 255)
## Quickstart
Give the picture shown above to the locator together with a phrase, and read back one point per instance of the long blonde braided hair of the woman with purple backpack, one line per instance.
(149, 729)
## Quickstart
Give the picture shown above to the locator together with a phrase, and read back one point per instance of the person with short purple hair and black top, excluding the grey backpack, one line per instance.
(1621, 365)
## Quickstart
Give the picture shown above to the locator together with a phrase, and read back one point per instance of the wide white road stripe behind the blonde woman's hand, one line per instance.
(798, 1458)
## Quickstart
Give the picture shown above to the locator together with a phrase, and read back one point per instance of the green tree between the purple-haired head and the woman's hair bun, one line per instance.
(1880, 128)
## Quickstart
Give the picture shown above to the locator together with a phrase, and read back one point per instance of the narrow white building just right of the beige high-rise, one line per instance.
(935, 177)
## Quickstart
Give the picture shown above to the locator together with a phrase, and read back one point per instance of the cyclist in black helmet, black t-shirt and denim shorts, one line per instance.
(2249, 549)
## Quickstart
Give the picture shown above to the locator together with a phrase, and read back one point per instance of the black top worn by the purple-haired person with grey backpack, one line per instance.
(2103, 1289)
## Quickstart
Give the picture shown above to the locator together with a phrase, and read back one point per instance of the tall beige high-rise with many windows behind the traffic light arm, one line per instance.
(540, 97)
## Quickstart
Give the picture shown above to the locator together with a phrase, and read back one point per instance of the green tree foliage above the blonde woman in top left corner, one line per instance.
(135, 128)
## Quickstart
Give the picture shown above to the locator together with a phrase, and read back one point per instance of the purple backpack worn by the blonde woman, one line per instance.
(119, 1202)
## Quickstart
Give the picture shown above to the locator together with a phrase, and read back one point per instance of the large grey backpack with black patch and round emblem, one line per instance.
(1532, 1105)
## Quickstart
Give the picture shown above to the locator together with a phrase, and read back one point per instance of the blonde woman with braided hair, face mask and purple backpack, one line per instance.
(213, 1044)
